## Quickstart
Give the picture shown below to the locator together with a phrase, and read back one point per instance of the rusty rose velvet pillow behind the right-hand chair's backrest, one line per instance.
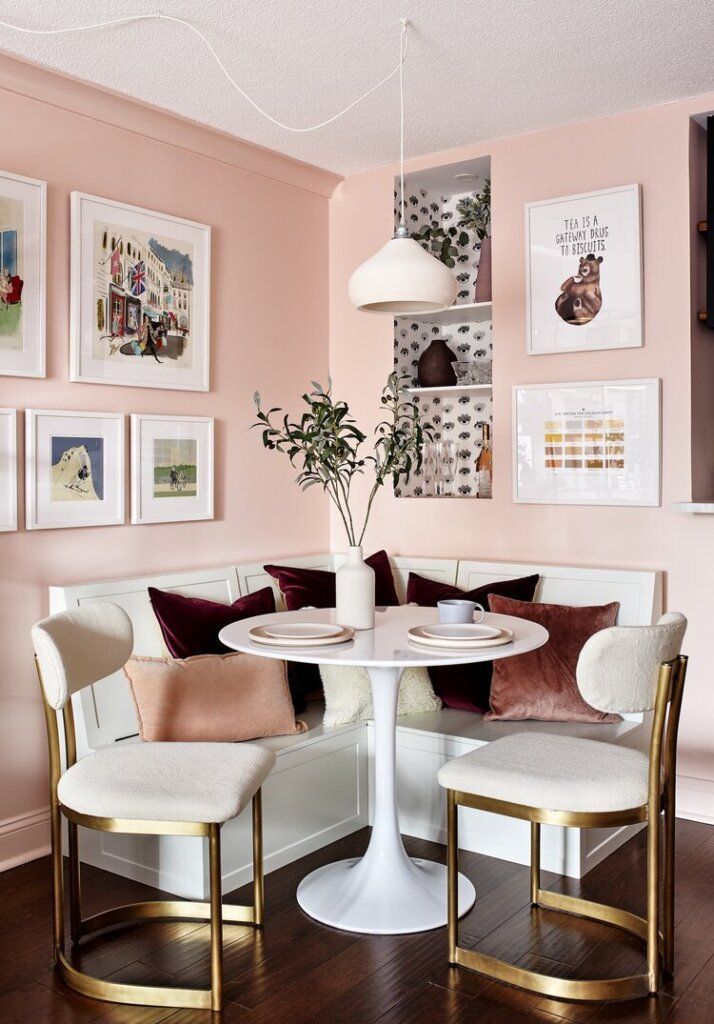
(542, 685)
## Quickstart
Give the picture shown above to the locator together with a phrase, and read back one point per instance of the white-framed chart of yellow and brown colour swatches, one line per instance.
(590, 444)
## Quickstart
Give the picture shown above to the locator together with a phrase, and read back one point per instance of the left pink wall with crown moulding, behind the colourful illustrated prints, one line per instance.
(270, 331)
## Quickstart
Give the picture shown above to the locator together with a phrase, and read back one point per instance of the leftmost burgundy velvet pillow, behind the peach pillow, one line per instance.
(191, 626)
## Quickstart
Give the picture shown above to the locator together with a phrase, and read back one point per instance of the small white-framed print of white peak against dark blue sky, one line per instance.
(74, 470)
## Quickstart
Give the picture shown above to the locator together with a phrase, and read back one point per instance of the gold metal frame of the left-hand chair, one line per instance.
(215, 911)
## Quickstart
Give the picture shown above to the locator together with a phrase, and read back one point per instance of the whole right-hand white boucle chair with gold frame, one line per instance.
(565, 781)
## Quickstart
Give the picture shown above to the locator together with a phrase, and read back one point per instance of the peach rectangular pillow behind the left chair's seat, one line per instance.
(212, 698)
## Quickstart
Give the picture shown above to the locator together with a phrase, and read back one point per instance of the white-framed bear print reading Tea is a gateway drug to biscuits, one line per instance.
(584, 272)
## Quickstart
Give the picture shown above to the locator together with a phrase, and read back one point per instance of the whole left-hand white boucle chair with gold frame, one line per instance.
(150, 789)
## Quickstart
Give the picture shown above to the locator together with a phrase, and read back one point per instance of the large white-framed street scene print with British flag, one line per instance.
(141, 297)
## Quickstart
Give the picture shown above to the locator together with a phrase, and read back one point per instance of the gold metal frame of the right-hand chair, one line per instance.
(661, 801)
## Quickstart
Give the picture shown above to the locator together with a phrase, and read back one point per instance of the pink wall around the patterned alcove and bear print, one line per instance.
(651, 147)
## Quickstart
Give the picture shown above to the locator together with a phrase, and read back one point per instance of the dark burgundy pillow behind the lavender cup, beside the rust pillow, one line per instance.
(466, 687)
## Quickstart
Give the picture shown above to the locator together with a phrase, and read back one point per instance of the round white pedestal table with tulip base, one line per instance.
(386, 892)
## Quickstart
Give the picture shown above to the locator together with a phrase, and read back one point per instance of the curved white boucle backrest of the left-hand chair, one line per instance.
(78, 648)
